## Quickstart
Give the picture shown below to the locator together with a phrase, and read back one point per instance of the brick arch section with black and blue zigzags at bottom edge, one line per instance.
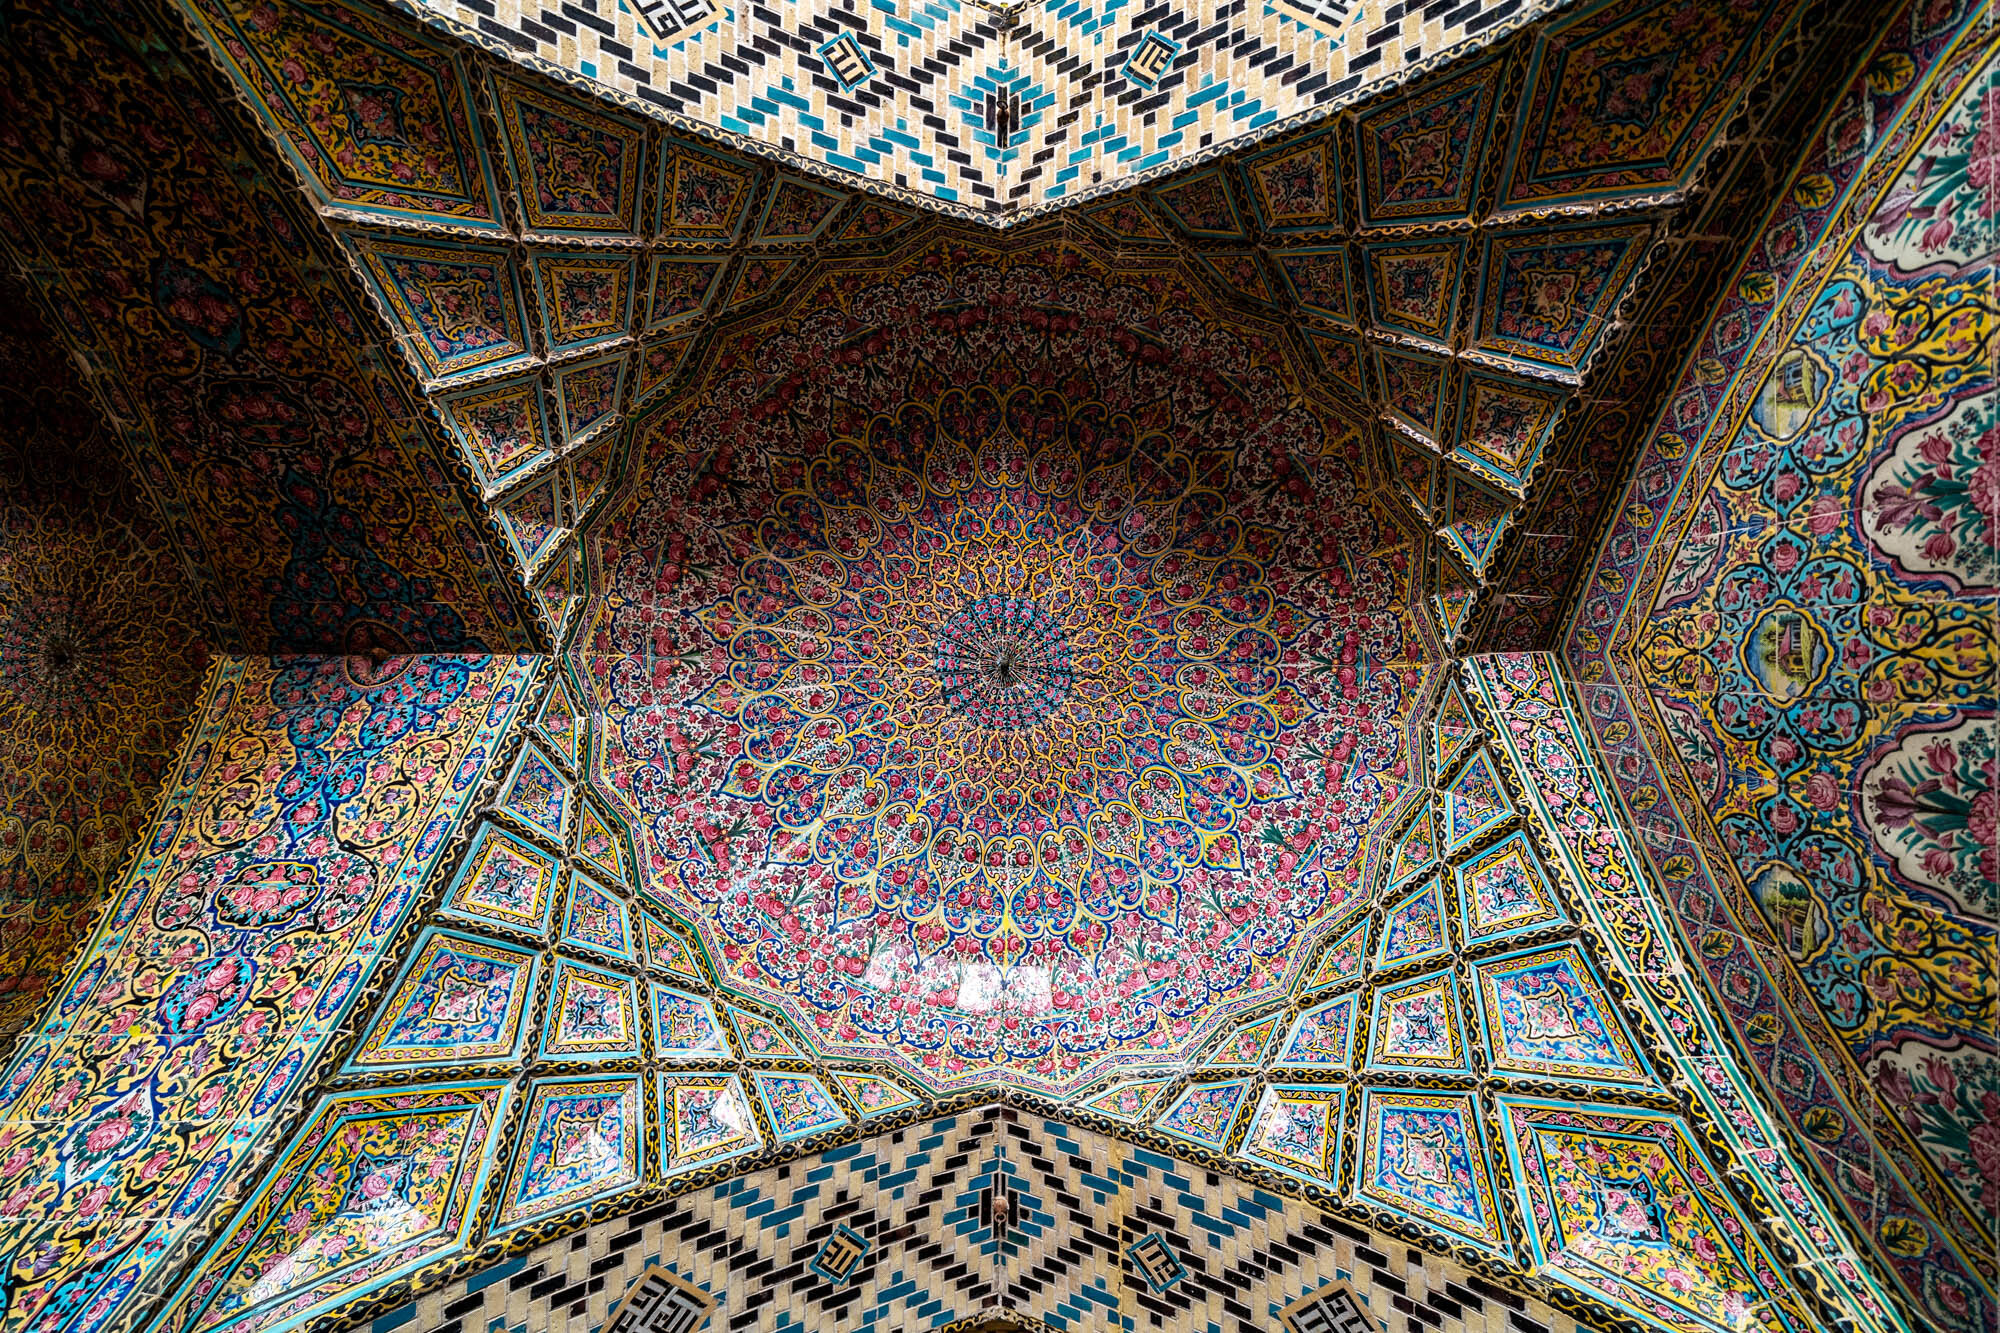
(943, 1256)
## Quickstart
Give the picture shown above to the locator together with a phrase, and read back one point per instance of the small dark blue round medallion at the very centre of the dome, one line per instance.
(1005, 663)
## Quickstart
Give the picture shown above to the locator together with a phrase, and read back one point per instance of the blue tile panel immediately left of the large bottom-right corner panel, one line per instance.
(1423, 1156)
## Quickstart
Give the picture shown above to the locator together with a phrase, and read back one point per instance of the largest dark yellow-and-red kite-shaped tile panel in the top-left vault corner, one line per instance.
(377, 115)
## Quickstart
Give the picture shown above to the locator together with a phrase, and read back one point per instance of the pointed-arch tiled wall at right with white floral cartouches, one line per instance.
(1789, 653)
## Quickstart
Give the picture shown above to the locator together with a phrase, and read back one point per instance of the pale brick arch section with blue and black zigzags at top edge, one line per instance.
(975, 109)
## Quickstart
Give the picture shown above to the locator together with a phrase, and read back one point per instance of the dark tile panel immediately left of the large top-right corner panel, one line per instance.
(1421, 157)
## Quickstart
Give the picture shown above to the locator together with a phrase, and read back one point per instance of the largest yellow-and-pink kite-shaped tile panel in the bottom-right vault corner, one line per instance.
(1621, 1206)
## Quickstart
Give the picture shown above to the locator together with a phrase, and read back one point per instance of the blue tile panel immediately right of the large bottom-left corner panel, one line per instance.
(579, 1144)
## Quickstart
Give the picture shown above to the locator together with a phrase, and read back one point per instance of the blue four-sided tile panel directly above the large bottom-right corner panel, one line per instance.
(1547, 1014)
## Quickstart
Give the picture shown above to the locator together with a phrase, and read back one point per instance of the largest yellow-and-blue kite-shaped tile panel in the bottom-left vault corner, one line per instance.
(377, 1184)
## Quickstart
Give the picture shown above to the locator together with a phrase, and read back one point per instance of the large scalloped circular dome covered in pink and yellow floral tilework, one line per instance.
(1019, 732)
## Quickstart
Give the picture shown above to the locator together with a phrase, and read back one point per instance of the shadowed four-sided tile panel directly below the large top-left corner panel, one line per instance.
(457, 307)
